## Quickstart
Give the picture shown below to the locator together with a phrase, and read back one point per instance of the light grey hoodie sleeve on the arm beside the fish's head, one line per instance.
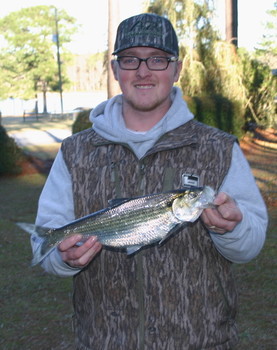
(247, 239)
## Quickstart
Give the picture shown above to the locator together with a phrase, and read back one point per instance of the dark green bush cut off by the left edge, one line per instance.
(10, 154)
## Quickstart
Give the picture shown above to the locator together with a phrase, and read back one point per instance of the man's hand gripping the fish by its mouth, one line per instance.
(224, 217)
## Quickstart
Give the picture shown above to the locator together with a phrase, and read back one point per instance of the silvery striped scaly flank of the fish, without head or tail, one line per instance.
(126, 224)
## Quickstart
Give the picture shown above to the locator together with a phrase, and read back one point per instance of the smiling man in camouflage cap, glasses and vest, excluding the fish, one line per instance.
(180, 295)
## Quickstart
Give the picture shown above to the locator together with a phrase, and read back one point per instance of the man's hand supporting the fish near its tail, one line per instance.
(79, 256)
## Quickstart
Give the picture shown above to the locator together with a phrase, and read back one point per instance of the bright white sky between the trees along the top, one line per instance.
(93, 15)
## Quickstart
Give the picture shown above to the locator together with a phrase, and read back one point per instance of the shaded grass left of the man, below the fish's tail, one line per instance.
(35, 308)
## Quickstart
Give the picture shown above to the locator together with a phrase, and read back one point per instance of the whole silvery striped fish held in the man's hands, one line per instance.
(129, 223)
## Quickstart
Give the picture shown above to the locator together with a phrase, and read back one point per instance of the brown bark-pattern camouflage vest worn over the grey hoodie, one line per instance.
(178, 296)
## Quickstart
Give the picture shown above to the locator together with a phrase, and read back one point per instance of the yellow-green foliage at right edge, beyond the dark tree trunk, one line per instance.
(259, 78)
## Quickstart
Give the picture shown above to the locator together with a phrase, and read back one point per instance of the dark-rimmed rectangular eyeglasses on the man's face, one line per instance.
(152, 63)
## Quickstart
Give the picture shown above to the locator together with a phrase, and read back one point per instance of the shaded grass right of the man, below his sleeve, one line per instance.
(257, 295)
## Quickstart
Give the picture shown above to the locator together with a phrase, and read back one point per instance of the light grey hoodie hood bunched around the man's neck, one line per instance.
(108, 122)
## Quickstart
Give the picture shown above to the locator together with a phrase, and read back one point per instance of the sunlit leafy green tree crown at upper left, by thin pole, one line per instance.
(29, 58)
